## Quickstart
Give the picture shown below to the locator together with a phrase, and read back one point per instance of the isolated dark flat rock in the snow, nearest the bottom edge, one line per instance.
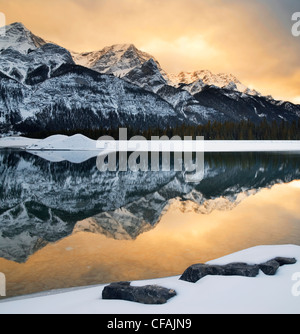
(148, 294)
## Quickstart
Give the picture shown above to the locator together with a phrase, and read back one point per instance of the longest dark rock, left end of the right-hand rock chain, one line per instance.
(197, 271)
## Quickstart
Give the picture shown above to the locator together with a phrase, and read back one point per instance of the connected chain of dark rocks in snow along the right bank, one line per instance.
(197, 271)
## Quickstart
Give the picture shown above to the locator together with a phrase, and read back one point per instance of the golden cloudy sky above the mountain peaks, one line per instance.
(249, 39)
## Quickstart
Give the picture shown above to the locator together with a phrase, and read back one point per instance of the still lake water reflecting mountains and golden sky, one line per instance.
(63, 223)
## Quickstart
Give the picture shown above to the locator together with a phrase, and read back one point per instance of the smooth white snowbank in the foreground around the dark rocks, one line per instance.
(212, 294)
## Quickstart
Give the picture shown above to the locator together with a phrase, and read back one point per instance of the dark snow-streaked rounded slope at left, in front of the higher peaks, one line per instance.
(78, 98)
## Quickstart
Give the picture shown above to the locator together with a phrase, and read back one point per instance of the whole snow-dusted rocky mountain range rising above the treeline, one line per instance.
(44, 86)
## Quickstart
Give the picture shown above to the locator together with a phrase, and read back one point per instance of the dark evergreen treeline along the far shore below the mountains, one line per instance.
(244, 130)
